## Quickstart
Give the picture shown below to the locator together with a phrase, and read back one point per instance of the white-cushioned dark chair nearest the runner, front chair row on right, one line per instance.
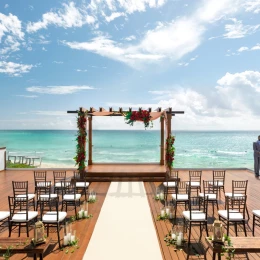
(197, 214)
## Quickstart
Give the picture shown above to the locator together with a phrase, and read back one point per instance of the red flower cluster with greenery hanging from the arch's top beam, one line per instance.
(143, 116)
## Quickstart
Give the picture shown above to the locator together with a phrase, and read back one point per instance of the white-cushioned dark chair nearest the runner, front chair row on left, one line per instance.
(52, 218)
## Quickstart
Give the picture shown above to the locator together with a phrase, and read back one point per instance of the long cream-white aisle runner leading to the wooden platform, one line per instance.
(125, 228)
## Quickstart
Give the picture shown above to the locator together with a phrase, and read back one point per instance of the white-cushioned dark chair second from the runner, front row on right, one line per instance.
(235, 212)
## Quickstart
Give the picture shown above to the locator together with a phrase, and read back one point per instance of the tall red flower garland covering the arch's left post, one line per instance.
(81, 141)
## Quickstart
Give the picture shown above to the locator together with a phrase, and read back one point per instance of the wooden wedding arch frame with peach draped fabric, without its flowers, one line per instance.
(165, 117)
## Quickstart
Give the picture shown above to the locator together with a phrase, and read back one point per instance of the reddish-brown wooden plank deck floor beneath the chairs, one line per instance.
(84, 228)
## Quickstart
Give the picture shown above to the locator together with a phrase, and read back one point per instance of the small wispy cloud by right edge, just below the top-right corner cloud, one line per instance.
(238, 30)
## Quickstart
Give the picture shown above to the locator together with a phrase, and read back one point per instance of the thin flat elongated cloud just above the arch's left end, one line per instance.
(58, 90)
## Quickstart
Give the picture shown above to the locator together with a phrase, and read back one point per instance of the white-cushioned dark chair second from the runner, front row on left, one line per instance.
(20, 214)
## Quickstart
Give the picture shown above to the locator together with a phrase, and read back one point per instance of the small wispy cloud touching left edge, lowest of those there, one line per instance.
(14, 69)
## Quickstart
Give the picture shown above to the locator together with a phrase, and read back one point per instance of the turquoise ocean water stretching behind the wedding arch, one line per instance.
(196, 149)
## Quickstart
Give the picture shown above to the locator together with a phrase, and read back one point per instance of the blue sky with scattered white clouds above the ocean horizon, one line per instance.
(201, 57)
